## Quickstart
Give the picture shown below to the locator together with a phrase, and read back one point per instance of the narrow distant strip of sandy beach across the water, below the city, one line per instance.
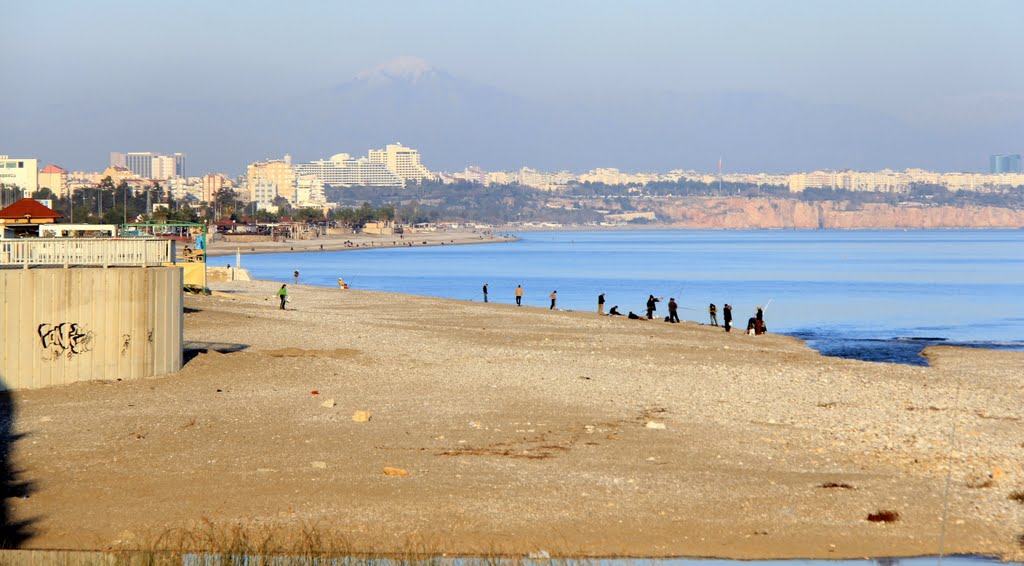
(357, 242)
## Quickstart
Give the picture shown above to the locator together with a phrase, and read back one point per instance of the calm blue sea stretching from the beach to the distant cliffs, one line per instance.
(879, 296)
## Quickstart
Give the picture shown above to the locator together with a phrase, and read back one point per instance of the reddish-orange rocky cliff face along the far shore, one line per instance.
(733, 213)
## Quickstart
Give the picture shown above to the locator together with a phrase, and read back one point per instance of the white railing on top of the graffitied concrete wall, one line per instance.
(70, 251)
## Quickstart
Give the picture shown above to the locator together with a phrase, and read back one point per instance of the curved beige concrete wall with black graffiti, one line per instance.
(64, 326)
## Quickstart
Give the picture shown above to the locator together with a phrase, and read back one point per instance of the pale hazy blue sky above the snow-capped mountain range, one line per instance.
(941, 68)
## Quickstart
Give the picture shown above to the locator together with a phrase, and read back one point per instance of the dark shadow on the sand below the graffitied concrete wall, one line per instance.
(13, 534)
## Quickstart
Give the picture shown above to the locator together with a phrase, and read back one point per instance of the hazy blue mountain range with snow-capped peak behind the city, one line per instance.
(455, 123)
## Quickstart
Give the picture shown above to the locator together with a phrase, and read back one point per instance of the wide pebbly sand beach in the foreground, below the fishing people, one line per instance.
(524, 429)
